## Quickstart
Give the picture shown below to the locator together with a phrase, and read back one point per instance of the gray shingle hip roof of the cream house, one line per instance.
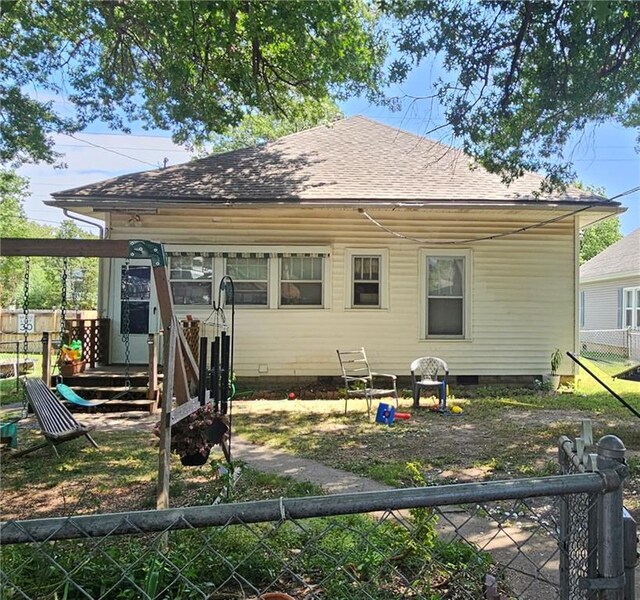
(352, 159)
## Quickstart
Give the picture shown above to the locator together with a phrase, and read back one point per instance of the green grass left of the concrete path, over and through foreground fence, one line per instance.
(121, 475)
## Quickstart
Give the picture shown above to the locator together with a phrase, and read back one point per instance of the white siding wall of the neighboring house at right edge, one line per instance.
(601, 301)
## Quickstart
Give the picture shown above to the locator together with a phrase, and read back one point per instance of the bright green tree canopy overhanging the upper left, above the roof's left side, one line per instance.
(190, 67)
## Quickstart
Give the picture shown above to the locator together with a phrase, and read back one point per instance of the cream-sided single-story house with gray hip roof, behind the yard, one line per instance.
(355, 234)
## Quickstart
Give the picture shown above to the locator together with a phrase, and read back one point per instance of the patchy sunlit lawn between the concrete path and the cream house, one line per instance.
(502, 433)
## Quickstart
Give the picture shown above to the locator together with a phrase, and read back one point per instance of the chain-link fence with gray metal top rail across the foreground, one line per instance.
(549, 537)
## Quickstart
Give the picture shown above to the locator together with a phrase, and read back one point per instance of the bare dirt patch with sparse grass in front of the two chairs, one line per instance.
(489, 440)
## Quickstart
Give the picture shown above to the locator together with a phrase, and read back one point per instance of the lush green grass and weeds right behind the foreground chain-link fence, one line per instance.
(345, 558)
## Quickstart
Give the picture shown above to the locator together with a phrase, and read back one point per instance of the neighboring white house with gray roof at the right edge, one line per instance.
(610, 287)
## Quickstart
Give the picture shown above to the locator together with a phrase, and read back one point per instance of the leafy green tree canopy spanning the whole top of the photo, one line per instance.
(520, 78)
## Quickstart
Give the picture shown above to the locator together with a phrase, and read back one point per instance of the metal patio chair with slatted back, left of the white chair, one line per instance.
(360, 380)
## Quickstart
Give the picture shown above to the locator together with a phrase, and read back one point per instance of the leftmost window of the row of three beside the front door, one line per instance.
(191, 279)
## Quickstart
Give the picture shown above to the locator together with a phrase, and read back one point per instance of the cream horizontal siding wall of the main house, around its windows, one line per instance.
(523, 287)
